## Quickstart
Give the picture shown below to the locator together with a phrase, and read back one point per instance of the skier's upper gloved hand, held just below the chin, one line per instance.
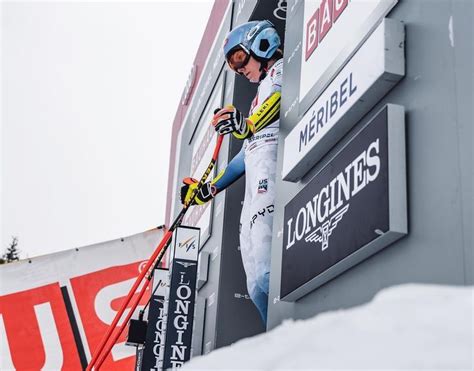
(230, 120)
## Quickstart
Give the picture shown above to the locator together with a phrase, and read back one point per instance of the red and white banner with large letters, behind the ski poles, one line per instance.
(55, 309)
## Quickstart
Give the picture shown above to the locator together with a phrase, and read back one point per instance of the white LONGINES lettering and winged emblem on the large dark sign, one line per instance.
(319, 217)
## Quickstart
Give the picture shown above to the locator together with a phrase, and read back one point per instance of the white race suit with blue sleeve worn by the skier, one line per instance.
(258, 159)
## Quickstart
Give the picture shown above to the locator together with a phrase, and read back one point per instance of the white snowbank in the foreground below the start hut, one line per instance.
(404, 327)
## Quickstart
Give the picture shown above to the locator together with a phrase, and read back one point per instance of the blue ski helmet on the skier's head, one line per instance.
(258, 38)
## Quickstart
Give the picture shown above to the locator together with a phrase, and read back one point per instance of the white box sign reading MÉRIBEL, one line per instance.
(368, 76)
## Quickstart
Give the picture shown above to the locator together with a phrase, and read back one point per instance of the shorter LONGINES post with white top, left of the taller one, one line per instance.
(155, 336)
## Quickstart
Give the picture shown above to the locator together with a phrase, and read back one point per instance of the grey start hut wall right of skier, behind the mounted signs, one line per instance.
(437, 95)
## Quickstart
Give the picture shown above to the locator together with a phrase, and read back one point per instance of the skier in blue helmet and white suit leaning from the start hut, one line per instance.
(251, 50)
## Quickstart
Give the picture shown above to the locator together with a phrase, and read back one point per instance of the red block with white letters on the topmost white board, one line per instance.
(321, 22)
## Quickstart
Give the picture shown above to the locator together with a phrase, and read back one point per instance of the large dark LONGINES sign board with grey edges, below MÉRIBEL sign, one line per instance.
(352, 208)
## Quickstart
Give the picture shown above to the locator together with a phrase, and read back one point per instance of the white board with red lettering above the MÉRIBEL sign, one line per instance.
(332, 31)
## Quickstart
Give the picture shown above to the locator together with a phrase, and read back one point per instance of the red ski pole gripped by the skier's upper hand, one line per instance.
(159, 252)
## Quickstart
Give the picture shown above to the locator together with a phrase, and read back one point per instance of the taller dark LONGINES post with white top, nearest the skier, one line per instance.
(182, 297)
